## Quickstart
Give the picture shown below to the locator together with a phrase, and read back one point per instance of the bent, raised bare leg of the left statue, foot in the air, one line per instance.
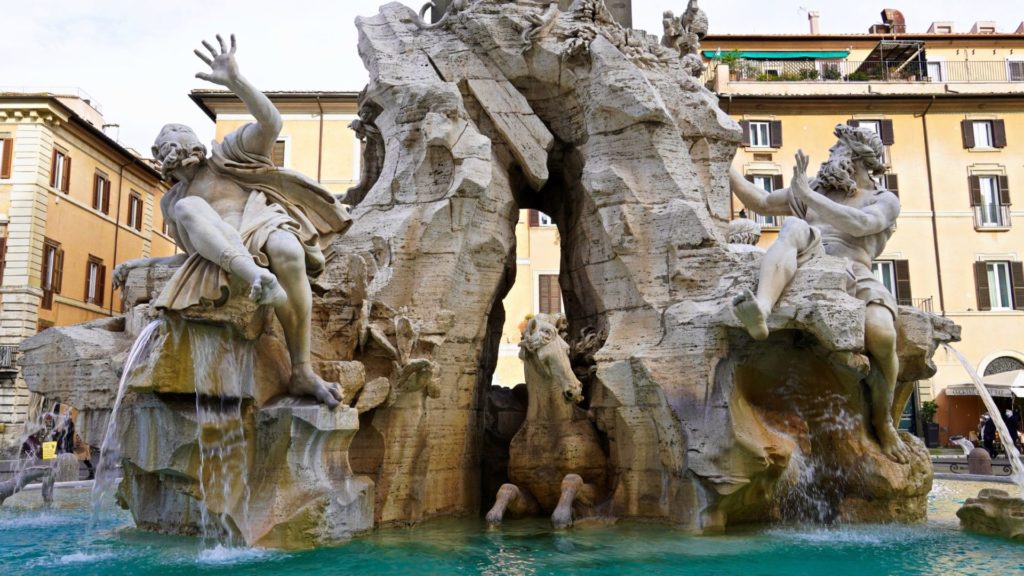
(219, 242)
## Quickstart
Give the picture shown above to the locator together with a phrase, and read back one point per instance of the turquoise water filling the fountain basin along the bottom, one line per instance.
(59, 542)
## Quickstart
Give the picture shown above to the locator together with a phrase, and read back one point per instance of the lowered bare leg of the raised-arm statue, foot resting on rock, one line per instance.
(289, 265)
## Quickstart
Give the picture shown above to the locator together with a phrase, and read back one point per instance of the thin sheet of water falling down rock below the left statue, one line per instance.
(222, 368)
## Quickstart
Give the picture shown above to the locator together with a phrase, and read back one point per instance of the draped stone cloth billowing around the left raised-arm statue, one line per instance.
(280, 200)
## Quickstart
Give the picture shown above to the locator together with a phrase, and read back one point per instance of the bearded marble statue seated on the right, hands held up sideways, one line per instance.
(844, 214)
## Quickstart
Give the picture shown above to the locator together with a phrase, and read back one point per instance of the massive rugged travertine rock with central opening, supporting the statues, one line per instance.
(507, 106)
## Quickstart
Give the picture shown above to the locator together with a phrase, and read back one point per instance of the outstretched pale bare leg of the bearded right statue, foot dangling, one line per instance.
(778, 269)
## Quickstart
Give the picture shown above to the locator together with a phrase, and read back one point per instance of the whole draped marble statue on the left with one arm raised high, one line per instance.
(243, 221)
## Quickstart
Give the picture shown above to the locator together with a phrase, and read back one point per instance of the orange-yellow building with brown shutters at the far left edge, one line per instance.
(73, 204)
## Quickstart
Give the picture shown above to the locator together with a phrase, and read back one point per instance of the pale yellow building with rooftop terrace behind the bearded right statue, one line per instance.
(951, 110)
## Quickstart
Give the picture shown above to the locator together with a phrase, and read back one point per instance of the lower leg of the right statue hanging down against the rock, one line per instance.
(880, 340)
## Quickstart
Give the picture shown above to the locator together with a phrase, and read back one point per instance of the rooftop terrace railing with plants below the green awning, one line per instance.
(851, 71)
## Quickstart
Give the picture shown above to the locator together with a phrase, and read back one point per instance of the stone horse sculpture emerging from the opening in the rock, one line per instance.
(557, 464)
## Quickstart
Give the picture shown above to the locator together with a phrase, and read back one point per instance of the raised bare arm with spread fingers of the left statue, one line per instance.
(259, 138)
